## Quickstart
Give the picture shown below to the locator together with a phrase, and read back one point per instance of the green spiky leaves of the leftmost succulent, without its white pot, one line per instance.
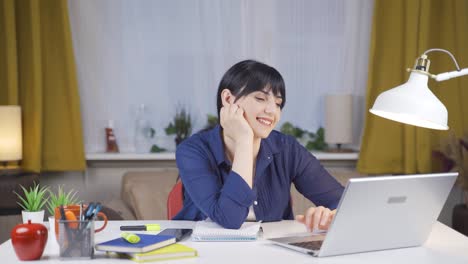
(34, 199)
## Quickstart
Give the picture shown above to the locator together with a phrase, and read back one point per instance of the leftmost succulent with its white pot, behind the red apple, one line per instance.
(32, 201)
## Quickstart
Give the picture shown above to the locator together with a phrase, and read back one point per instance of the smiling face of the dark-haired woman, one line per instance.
(262, 111)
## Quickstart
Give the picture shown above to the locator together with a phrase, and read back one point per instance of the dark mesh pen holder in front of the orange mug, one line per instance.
(76, 239)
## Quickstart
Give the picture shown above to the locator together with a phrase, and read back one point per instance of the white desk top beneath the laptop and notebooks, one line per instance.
(443, 246)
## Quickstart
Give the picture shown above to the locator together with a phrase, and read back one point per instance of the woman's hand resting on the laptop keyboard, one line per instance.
(316, 218)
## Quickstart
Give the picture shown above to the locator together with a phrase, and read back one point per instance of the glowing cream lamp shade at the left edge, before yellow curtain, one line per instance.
(11, 147)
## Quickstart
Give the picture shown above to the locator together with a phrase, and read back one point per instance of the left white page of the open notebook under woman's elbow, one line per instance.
(211, 231)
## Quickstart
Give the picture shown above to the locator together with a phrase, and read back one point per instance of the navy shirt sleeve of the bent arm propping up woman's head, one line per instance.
(227, 204)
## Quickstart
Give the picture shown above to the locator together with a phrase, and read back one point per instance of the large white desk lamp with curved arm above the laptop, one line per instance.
(412, 102)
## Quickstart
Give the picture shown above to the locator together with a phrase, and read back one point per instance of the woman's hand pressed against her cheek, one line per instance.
(234, 124)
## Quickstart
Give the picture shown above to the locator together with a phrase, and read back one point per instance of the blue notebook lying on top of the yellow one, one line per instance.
(146, 243)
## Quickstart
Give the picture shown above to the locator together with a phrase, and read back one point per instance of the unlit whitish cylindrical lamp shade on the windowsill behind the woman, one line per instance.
(338, 119)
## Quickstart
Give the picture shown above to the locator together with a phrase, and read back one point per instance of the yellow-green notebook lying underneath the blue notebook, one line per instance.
(174, 251)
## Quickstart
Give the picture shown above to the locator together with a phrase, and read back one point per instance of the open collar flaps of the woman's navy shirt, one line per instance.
(267, 146)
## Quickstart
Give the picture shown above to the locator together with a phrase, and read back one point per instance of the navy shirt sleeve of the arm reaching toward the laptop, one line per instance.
(312, 180)
